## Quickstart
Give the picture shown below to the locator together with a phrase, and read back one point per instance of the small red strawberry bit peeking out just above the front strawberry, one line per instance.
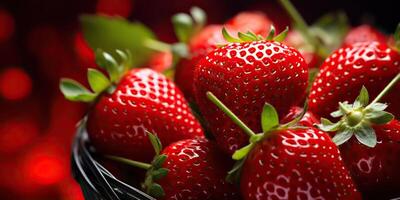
(308, 119)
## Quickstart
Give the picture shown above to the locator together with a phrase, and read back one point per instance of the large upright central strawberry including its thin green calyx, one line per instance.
(246, 74)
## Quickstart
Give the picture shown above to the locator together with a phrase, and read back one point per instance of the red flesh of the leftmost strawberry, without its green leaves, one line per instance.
(143, 100)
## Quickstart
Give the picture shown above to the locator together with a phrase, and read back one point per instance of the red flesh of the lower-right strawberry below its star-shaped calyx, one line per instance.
(375, 170)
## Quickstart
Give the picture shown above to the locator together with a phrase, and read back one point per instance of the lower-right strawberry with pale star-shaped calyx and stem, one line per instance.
(371, 156)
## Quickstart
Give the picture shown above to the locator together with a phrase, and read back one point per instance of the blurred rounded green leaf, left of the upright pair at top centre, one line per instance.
(183, 25)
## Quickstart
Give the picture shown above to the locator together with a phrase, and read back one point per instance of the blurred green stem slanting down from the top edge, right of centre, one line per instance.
(303, 27)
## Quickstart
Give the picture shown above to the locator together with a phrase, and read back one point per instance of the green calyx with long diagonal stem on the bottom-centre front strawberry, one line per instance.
(269, 124)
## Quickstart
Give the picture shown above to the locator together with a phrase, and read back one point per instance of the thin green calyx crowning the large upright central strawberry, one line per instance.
(250, 36)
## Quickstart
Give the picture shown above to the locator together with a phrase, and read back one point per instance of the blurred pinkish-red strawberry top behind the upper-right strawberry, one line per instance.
(364, 33)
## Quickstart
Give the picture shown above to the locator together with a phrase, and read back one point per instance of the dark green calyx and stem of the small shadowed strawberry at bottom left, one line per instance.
(154, 172)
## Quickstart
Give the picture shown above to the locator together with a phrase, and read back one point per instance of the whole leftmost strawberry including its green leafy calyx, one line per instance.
(141, 100)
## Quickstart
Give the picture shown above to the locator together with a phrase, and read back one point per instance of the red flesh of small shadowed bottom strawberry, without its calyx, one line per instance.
(197, 170)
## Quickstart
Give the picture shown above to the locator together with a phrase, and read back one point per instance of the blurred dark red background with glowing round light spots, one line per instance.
(41, 41)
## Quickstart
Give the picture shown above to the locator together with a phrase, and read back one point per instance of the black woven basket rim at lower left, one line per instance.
(97, 182)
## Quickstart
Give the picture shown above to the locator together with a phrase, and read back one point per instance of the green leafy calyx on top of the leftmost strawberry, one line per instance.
(115, 67)
